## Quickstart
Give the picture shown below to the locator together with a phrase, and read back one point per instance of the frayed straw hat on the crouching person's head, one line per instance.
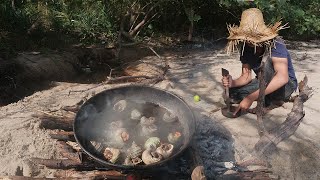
(252, 29)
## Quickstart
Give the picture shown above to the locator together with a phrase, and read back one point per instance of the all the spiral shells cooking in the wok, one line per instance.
(152, 151)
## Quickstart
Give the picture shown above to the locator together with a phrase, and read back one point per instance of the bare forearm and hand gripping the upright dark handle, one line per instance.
(244, 78)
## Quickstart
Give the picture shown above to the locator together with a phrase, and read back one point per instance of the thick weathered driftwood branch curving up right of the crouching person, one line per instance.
(290, 125)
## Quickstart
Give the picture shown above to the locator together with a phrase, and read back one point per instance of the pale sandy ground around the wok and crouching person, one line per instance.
(192, 72)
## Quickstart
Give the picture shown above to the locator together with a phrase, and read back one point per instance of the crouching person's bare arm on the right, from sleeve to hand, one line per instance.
(281, 77)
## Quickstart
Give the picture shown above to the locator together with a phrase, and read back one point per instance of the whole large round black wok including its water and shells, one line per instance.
(134, 127)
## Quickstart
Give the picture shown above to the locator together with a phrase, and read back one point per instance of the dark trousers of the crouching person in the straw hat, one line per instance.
(282, 94)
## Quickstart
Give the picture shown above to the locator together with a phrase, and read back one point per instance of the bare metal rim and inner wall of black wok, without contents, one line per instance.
(87, 125)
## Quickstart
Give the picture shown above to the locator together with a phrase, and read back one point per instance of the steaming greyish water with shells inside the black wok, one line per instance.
(126, 122)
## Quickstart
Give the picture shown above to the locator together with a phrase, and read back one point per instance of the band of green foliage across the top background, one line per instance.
(99, 20)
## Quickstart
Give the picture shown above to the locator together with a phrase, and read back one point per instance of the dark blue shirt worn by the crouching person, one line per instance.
(280, 51)
